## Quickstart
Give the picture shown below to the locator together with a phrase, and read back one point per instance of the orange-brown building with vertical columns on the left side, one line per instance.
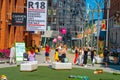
(10, 34)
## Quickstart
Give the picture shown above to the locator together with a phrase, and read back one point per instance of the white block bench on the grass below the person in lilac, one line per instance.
(29, 66)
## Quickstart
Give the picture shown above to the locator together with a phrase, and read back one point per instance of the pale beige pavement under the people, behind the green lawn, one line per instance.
(40, 57)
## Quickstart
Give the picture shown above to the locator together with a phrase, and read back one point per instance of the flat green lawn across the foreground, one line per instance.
(45, 73)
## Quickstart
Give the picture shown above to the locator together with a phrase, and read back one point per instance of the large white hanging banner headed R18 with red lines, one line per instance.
(36, 15)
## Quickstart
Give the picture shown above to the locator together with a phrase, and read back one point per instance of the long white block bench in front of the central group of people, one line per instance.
(59, 65)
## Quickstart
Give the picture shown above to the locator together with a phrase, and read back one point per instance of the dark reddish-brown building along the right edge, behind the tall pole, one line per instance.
(114, 22)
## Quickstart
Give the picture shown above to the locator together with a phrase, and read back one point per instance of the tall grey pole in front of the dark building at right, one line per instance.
(108, 8)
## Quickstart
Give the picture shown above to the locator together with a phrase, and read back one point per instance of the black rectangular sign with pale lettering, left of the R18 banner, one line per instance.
(19, 19)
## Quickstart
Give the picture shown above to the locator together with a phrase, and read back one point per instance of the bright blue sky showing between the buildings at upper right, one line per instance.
(94, 7)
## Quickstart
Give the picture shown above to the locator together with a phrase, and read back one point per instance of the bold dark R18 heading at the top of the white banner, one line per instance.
(36, 5)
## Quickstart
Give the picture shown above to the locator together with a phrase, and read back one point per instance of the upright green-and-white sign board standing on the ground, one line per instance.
(20, 49)
